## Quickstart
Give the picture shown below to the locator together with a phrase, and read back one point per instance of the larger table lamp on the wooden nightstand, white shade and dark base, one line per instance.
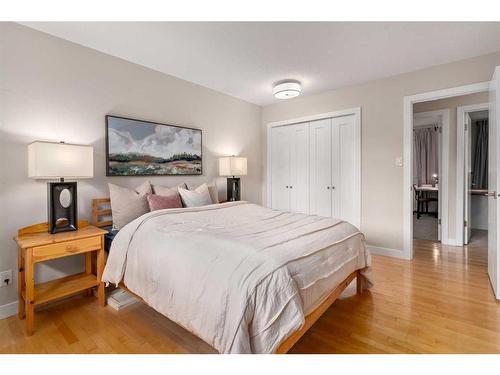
(48, 161)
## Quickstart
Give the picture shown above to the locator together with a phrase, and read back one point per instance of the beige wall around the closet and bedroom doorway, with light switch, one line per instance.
(381, 104)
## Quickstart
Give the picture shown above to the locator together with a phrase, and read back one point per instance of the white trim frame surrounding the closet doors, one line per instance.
(356, 112)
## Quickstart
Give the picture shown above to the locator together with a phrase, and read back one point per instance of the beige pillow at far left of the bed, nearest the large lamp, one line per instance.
(128, 204)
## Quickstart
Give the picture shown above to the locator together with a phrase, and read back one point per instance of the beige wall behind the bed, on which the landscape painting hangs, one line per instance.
(55, 90)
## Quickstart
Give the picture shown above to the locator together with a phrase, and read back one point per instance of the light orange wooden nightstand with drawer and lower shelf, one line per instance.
(36, 245)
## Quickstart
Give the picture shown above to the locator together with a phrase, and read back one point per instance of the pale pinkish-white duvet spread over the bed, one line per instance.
(238, 275)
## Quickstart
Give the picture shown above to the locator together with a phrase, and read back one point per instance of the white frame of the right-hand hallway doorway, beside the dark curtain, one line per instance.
(460, 196)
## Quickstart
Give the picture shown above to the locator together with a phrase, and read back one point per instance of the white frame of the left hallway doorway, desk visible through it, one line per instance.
(442, 118)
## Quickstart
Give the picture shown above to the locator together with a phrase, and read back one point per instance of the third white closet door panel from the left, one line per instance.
(320, 167)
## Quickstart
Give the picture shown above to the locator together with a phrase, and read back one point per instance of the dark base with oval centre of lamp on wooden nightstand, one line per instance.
(62, 206)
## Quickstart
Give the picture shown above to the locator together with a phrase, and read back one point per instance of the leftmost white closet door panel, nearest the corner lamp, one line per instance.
(280, 164)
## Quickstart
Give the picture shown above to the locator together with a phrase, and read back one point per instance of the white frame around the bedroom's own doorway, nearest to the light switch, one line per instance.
(408, 102)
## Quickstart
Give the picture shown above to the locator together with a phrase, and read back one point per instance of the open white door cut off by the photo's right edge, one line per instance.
(493, 182)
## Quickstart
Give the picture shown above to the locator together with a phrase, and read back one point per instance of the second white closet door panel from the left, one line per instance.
(299, 168)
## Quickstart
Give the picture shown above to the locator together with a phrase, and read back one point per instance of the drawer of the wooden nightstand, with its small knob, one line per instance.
(63, 249)
